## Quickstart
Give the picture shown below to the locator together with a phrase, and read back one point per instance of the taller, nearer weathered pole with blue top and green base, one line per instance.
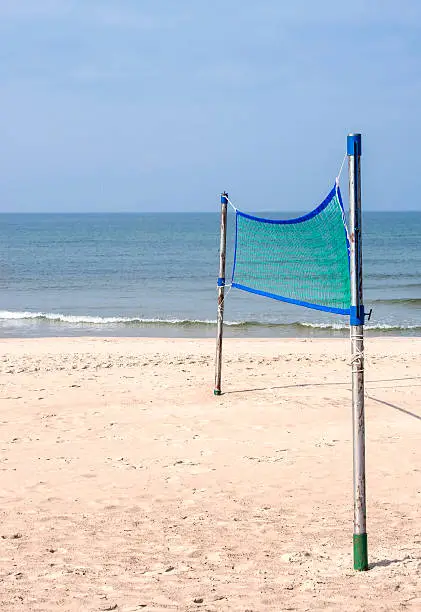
(357, 351)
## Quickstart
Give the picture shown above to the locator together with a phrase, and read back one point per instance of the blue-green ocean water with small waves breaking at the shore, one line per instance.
(155, 275)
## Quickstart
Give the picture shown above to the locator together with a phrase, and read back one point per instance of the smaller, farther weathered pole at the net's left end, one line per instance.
(221, 292)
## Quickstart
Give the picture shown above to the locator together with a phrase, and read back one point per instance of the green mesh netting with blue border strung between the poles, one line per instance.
(303, 261)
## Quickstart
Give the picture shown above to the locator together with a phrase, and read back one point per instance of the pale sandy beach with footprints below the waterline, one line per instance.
(126, 485)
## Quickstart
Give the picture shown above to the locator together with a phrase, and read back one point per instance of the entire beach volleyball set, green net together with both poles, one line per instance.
(310, 261)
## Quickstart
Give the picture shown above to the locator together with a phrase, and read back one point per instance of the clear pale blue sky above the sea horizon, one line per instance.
(128, 105)
